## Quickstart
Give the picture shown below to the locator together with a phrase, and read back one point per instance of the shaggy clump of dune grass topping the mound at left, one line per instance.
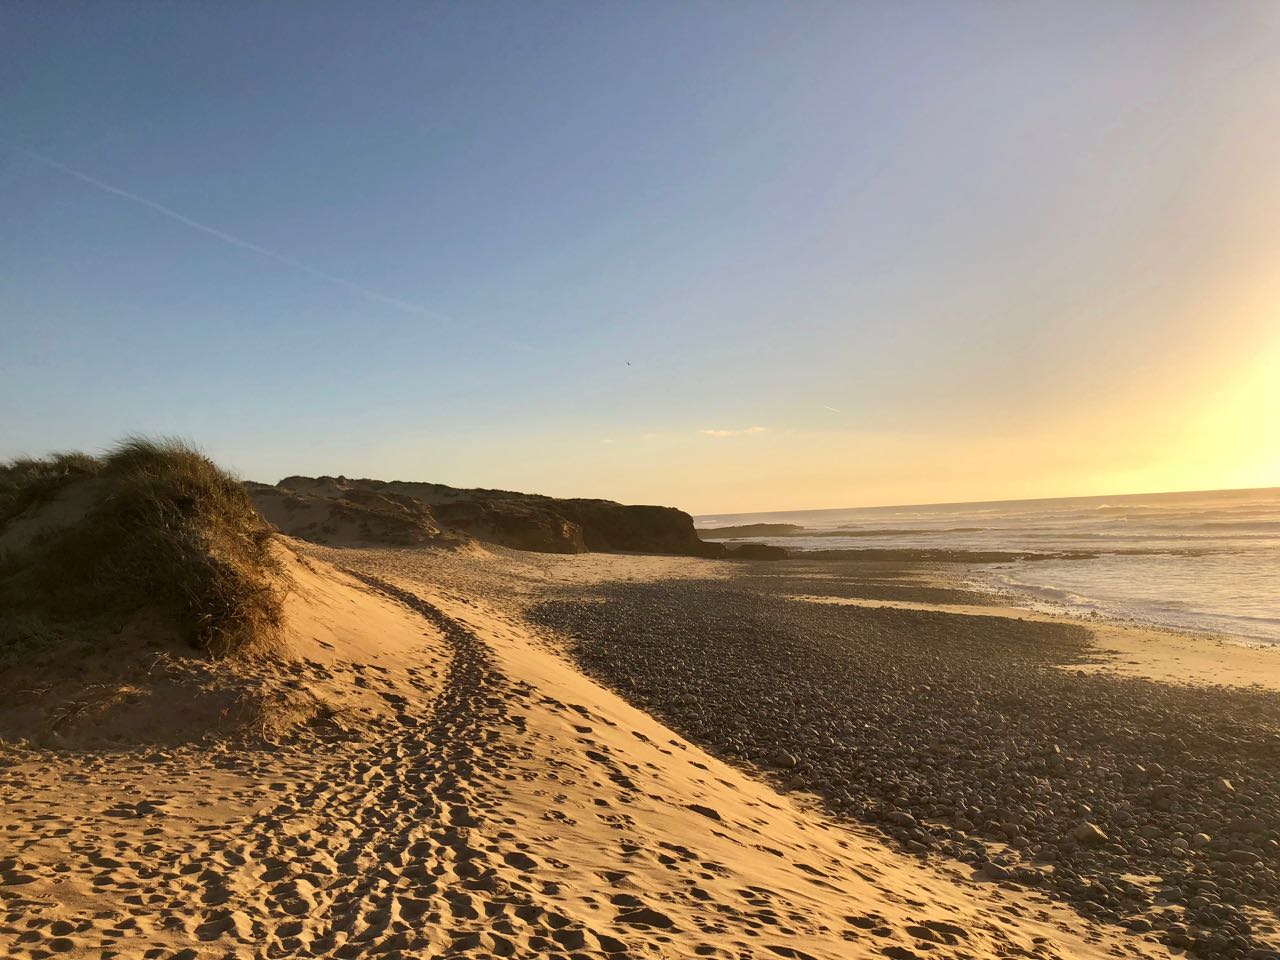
(167, 531)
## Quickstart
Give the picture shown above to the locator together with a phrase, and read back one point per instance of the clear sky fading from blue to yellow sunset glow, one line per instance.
(723, 255)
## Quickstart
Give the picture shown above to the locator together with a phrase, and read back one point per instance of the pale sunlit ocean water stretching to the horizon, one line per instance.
(1208, 563)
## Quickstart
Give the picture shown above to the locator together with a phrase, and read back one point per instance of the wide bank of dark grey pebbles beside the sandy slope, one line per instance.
(1150, 806)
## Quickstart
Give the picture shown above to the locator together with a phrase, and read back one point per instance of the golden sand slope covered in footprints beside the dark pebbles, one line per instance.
(465, 793)
